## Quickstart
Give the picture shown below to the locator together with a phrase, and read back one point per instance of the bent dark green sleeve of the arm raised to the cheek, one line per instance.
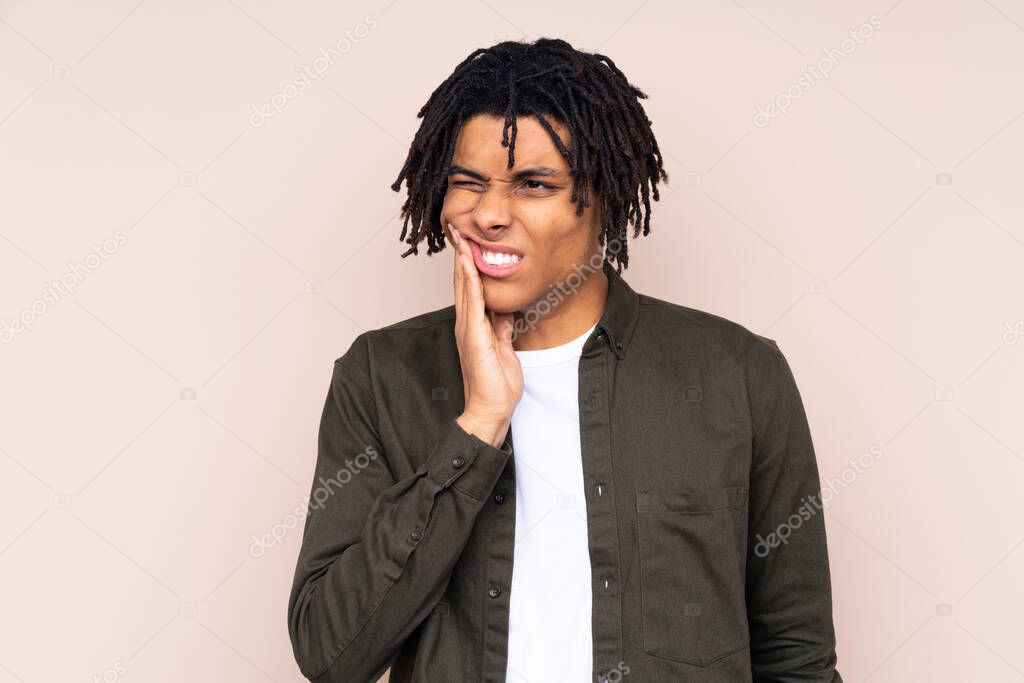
(378, 552)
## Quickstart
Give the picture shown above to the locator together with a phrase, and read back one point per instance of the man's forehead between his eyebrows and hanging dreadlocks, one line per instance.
(480, 145)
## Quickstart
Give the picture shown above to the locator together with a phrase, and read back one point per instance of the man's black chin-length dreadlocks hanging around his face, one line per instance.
(612, 142)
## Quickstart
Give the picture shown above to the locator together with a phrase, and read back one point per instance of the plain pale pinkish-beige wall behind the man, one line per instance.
(163, 415)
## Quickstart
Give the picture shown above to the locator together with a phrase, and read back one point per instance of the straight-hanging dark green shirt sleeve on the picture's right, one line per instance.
(789, 591)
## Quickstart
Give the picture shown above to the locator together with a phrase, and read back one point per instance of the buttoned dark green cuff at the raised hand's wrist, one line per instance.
(467, 463)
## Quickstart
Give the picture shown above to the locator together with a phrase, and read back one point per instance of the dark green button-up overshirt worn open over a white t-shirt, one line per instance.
(707, 535)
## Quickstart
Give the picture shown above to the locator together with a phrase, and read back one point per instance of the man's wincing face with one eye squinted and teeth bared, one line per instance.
(525, 211)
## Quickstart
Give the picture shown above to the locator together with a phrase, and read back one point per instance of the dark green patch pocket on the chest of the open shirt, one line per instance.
(693, 574)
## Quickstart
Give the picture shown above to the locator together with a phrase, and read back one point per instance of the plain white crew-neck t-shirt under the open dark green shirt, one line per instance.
(550, 602)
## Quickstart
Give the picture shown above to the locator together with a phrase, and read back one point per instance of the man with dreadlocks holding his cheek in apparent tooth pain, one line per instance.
(558, 479)
